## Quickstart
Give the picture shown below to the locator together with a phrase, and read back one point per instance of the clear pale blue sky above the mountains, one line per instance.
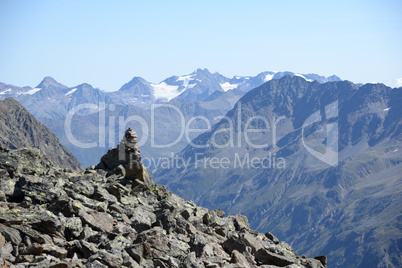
(106, 43)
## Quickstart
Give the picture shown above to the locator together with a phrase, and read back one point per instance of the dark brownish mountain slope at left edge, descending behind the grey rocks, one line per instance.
(18, 129)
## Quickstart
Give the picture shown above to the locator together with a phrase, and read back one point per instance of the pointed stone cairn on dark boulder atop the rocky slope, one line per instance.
(125, 161)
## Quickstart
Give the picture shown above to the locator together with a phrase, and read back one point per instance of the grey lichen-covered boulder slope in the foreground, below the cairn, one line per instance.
(51, 217)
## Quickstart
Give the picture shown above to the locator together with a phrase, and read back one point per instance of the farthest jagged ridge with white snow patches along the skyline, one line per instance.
(198, 86)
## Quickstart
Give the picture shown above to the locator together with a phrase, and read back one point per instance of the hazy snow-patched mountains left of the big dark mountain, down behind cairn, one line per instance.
(200, 93)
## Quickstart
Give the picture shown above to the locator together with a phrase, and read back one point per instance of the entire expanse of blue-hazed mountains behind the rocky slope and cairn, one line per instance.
(316, 160)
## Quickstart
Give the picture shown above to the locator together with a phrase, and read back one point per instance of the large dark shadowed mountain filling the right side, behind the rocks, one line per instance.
(319, 164)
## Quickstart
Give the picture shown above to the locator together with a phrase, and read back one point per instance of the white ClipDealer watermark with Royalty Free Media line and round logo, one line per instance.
(235, 132)
